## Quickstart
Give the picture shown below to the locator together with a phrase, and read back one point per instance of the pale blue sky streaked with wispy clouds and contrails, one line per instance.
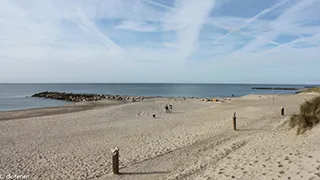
(172, 41)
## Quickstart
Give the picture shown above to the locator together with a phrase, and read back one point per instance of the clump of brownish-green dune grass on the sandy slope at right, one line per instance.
(308, 117)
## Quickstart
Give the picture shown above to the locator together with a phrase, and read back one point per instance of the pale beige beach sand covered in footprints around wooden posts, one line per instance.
(196, 141)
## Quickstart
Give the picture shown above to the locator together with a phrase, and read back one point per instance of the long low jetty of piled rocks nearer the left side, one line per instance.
(88, 97)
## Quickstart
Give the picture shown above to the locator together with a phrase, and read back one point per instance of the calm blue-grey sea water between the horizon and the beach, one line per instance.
(14, 96)
